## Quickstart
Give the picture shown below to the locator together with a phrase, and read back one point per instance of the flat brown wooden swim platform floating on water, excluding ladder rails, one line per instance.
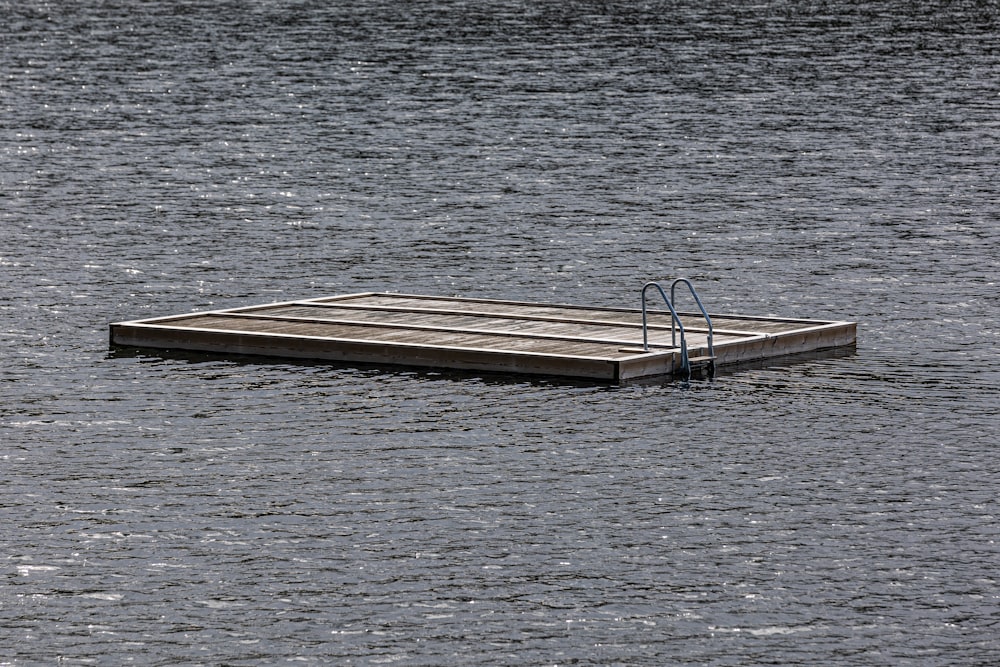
(604, 344)
